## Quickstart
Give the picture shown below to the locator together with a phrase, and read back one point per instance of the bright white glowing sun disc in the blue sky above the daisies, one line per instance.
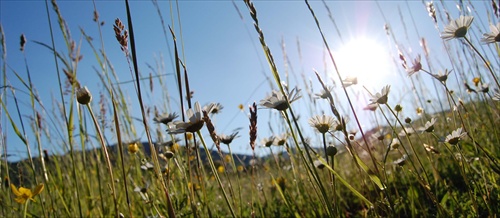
(365, 59)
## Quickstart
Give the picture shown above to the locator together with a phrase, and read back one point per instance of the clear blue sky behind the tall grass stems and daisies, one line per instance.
(222, 53)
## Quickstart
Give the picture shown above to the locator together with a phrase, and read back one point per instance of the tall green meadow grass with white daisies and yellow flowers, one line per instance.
(446, 163)
